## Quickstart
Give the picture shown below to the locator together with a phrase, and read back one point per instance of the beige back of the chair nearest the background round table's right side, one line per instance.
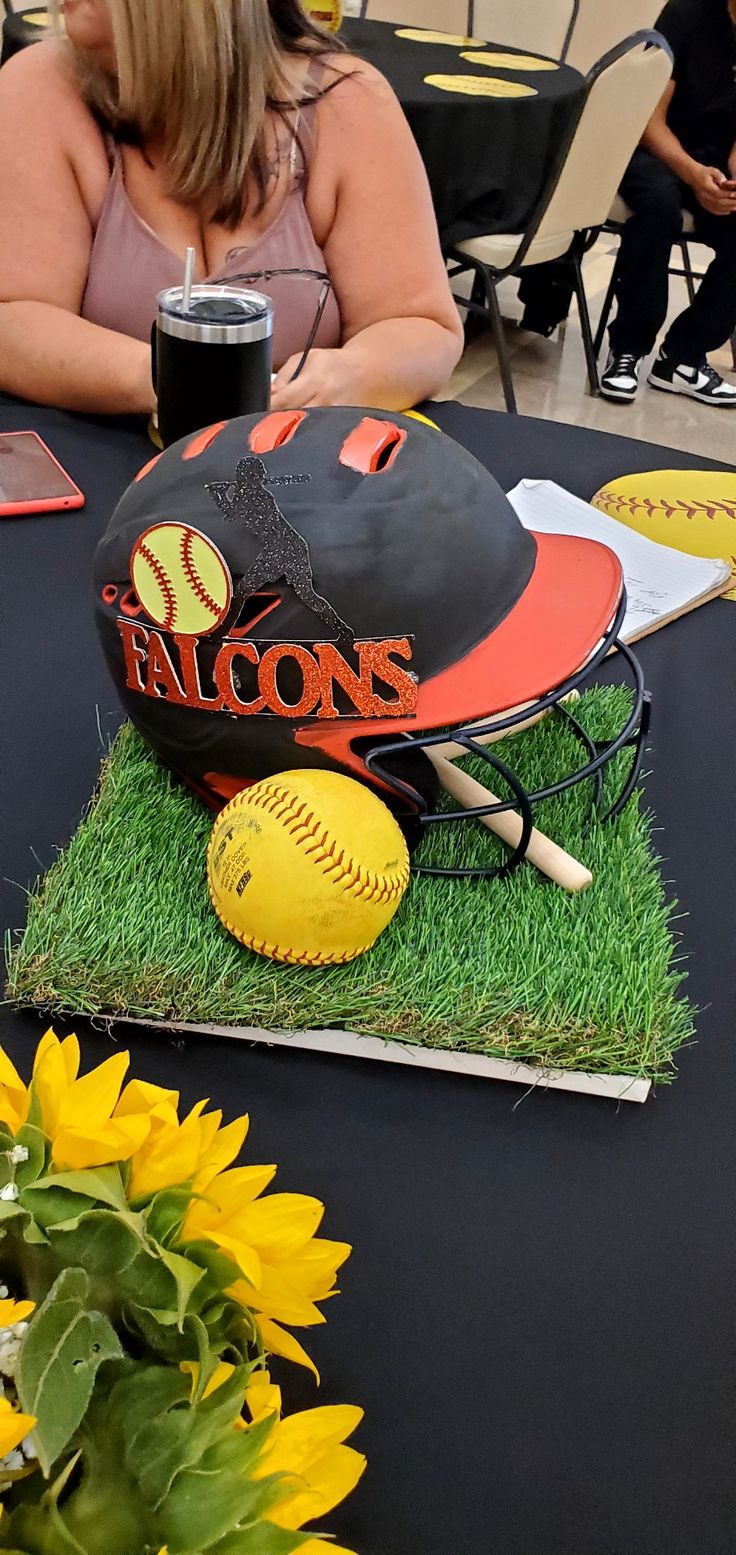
(617, 111)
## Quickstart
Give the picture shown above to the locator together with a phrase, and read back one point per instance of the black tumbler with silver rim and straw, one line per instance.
(212, 358)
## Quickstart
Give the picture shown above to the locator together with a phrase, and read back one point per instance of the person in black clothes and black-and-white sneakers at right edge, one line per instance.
(687, 162)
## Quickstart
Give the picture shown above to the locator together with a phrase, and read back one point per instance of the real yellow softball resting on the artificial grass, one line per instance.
(307, 867)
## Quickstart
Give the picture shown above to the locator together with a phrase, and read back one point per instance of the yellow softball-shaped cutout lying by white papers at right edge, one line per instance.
(693, 511)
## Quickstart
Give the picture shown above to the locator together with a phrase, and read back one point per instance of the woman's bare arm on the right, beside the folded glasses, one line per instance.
(370, 192)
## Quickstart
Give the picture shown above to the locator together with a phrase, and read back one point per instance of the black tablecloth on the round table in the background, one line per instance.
(488, 159)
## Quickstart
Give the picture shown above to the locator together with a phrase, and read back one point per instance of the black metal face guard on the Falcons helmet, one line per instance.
(600, 753)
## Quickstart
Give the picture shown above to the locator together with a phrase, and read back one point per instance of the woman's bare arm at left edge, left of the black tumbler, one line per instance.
(47, 352)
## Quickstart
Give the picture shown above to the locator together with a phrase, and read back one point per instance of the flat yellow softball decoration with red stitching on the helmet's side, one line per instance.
(181, 579)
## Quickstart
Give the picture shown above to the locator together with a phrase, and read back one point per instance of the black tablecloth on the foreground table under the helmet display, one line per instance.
(539, 1310)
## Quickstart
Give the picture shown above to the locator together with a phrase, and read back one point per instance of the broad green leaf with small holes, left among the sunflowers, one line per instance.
(60, 1358)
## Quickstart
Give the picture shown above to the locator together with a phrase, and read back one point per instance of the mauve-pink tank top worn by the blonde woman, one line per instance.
(130, 265)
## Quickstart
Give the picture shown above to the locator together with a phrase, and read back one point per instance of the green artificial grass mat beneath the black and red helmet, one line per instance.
(519, 970)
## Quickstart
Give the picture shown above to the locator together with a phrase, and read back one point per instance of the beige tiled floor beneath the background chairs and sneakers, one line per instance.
(550, 376)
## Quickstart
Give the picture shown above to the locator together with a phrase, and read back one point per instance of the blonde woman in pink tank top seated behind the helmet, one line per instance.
(234, 127)
